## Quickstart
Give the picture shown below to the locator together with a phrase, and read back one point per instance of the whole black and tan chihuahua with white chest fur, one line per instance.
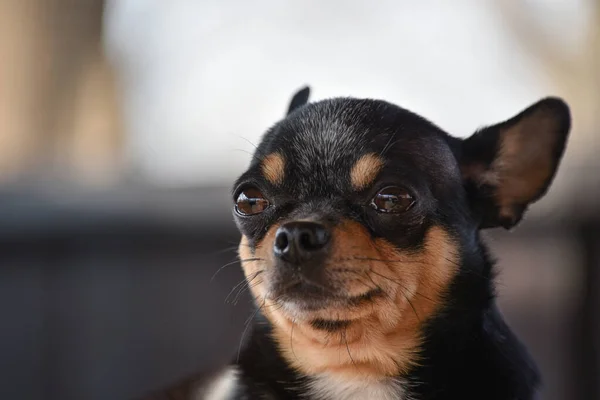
(361, 245)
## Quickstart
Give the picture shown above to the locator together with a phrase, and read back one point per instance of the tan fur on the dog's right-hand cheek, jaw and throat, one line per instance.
(385, 335)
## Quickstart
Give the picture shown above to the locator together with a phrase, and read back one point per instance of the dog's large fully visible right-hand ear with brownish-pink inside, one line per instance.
(510, 165)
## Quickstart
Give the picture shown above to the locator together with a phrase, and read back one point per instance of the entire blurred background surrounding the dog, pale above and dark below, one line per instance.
(123, 124)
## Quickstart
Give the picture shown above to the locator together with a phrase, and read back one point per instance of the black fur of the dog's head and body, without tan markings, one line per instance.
(469, 351)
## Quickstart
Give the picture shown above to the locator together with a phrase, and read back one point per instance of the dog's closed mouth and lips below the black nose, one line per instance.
(304, 297)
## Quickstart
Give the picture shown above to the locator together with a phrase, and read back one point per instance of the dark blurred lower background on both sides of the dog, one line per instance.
(112, 296)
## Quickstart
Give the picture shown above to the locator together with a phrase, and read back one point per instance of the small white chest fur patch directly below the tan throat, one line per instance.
(332, 388)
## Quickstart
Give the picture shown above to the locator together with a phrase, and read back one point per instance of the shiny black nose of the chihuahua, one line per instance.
(296, 242)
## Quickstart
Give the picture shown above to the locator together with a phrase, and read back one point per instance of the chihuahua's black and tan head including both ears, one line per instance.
(356, 216)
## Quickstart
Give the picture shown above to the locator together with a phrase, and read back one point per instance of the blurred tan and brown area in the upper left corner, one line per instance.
(58, 105)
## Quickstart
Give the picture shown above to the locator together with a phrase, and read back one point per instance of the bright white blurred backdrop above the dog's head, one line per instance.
(202, 79)
